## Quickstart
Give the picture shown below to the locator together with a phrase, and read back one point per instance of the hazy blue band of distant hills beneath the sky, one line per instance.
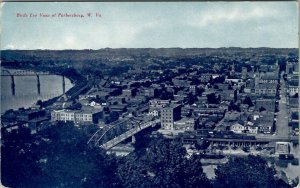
(11, 55)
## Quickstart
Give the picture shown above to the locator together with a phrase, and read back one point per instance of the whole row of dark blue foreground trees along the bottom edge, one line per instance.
(60, 157)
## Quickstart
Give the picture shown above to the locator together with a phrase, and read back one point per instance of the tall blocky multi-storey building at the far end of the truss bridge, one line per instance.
(169, 114)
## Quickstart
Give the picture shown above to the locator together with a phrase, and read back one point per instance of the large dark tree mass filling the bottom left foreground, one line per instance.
(58, 157)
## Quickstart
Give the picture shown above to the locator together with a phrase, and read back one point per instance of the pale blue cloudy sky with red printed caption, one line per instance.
(151, 24)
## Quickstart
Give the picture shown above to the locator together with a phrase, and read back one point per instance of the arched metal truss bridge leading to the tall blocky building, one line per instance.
(118, 131)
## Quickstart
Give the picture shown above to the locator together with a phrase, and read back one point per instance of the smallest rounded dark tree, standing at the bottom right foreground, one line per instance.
(252, 171)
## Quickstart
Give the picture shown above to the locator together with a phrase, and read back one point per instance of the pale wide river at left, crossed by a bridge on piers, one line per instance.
(26, 90)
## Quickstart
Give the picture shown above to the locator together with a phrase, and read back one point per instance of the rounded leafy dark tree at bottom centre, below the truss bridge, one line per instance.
(163, 165)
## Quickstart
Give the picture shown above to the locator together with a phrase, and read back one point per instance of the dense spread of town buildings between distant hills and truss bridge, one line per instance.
(229, 96)
